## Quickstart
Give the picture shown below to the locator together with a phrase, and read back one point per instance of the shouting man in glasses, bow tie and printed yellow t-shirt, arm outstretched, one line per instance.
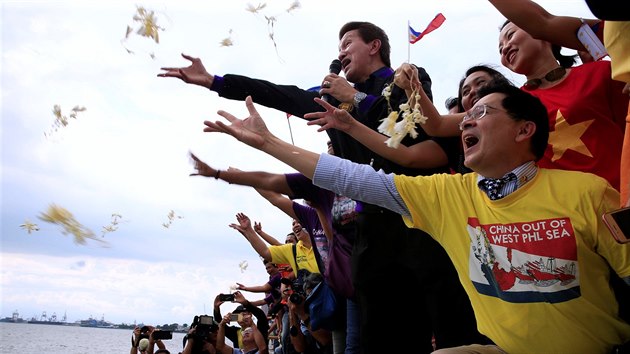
(528, 243)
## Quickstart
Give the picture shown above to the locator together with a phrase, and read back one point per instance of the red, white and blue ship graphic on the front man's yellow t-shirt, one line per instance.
(525, 262)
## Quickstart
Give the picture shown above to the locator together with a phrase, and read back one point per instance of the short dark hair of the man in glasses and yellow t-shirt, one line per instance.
(521, 105)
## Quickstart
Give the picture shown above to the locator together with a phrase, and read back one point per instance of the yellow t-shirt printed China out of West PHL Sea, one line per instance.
(535, 263)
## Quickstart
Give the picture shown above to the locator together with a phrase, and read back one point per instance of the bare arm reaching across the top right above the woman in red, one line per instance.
(540, 24)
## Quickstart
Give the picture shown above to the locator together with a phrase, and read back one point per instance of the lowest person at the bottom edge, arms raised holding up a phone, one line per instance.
(253, 341)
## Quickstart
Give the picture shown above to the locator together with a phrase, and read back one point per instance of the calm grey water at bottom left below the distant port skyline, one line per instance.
(24, 338)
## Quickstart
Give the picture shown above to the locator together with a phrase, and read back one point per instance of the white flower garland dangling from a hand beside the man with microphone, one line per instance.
(397, 130)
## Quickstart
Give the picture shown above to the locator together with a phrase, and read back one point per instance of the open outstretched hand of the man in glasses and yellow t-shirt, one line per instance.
(251, 130)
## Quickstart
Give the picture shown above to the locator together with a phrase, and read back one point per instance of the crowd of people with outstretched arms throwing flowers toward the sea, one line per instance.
(492, 212)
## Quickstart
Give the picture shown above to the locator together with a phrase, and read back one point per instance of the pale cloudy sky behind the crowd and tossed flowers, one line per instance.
(127, 152)
